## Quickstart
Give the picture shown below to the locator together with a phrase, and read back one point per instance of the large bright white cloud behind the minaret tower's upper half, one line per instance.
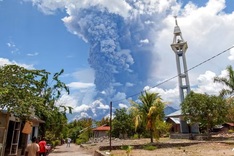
(207, 30)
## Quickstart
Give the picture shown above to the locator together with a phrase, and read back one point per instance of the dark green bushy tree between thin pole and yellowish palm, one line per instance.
(122, 123)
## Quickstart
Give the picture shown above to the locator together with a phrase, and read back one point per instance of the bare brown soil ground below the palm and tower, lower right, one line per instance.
(218, 146)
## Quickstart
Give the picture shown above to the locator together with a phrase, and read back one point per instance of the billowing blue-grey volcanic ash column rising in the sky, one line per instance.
(117, 53)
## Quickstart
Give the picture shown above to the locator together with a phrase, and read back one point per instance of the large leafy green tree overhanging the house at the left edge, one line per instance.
(24, 92)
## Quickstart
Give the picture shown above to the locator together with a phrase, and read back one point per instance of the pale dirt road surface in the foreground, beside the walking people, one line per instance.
(63, 150)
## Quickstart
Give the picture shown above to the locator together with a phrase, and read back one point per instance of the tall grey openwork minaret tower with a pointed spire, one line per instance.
(179, 46)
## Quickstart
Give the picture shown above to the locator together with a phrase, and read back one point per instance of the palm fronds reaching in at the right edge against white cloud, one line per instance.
(227, 81)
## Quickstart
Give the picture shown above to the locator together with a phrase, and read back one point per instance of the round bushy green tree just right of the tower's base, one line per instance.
(207, 110)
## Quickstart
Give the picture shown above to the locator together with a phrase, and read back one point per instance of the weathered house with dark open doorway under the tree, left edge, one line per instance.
(15, 134)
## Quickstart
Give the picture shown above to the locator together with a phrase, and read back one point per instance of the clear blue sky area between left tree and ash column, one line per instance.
(31, 37)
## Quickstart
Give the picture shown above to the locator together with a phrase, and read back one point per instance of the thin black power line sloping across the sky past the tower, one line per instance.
(169, 79)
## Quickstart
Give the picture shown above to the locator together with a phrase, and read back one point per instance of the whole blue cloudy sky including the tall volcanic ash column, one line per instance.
(113, 50)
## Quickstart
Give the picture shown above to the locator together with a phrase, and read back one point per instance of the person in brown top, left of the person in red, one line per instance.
(32, 149)
